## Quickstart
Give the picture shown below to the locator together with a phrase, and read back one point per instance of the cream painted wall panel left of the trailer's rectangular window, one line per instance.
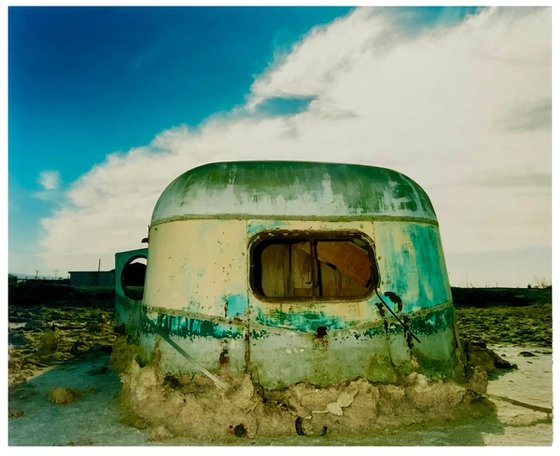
(197, 265)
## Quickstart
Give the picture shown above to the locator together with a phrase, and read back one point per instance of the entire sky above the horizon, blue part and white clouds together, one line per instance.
(102, 99)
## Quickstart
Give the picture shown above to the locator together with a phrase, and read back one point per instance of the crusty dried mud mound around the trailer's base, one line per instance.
(193, 406)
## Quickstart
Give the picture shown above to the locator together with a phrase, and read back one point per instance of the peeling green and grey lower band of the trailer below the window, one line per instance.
(283, 356)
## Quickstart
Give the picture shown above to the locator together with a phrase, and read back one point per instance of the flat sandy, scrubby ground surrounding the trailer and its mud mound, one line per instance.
(63, 391)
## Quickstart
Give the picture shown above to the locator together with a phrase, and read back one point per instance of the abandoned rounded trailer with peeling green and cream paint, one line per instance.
(292, 272)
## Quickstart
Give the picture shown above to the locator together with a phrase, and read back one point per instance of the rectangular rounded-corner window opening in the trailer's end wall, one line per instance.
(320, 266)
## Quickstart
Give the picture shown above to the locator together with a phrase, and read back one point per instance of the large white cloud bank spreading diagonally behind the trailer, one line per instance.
(462, 110)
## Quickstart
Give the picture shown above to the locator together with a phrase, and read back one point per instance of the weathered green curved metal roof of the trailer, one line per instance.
(292, 189)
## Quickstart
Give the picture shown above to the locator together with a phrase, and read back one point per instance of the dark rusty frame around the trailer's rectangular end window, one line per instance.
(286, 236)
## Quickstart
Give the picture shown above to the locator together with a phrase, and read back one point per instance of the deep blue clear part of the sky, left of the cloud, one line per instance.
(85, 82)
